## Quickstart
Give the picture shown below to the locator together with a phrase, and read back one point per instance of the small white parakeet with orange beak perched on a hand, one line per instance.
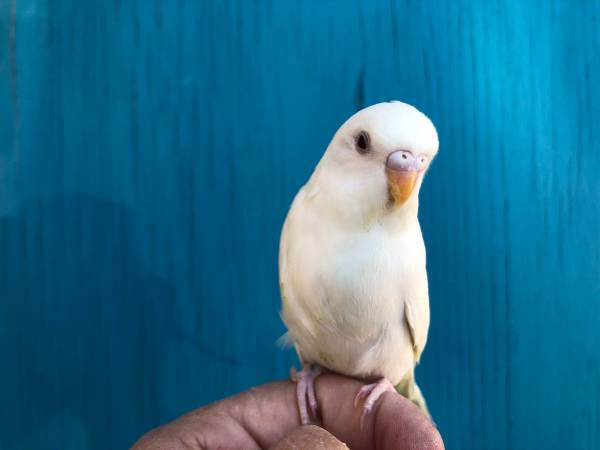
(352, 257)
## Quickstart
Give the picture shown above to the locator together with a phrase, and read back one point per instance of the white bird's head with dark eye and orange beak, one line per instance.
(376, 161)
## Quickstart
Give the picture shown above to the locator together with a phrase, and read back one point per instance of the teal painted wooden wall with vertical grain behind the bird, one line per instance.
(149, 152)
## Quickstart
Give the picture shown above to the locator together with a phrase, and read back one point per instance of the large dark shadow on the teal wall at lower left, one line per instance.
(82, 323)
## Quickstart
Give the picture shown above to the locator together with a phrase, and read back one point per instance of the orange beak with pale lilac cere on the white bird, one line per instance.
(402, 172)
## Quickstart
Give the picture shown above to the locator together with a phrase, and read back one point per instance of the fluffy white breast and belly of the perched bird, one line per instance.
(344, 293)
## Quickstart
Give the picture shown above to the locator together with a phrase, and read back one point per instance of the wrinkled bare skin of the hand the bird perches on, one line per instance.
(267, 417)
